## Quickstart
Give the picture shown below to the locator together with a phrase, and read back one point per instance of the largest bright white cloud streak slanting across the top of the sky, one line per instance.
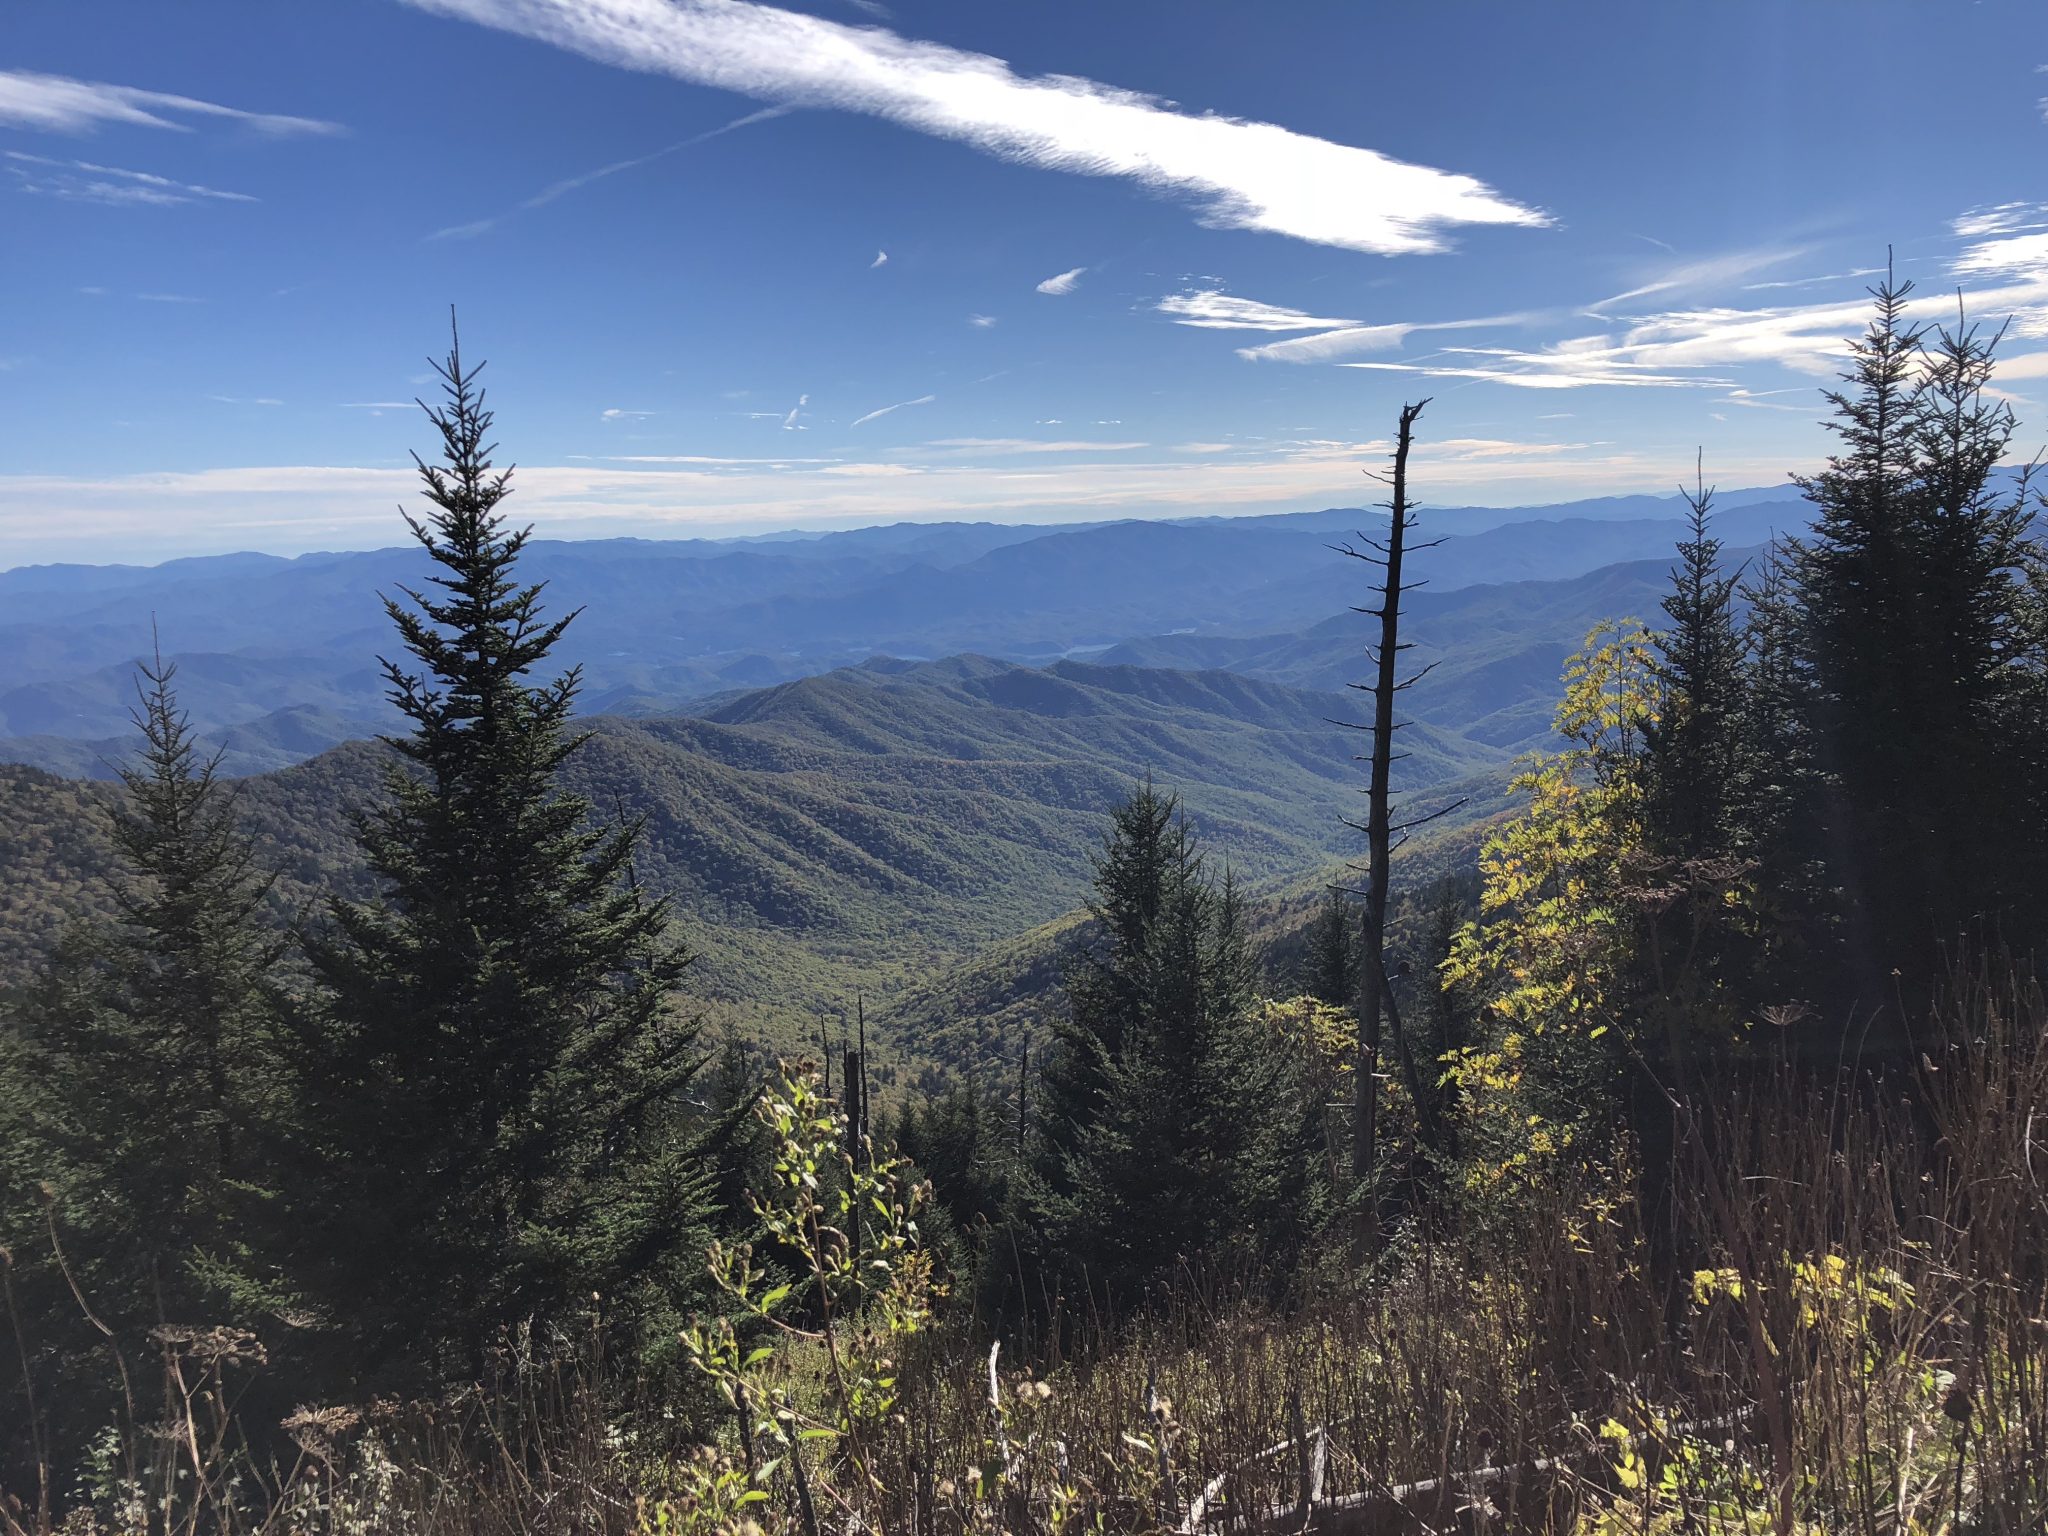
(1240, 175)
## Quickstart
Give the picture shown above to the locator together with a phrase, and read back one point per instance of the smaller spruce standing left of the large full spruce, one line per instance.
(153, 1035)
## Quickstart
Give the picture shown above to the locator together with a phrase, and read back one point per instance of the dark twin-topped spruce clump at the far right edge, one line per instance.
(1916, 642)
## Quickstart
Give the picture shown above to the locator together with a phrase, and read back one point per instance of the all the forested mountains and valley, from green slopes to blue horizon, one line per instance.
(869, 763)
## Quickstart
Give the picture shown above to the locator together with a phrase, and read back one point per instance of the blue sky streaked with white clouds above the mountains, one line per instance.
(746, 267)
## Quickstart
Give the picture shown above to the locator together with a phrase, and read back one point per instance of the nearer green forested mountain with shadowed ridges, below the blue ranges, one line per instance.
(851, 833)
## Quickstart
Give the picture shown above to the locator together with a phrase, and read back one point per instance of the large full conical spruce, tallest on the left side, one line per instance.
(495, 1074)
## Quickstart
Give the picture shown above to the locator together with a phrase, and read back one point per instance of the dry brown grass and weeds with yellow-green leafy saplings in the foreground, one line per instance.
(1861, 1349)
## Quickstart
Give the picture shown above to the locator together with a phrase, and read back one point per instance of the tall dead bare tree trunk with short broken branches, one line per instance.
(1375, 992)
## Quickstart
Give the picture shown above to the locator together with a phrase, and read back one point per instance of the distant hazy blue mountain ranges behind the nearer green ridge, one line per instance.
(278, 658)
